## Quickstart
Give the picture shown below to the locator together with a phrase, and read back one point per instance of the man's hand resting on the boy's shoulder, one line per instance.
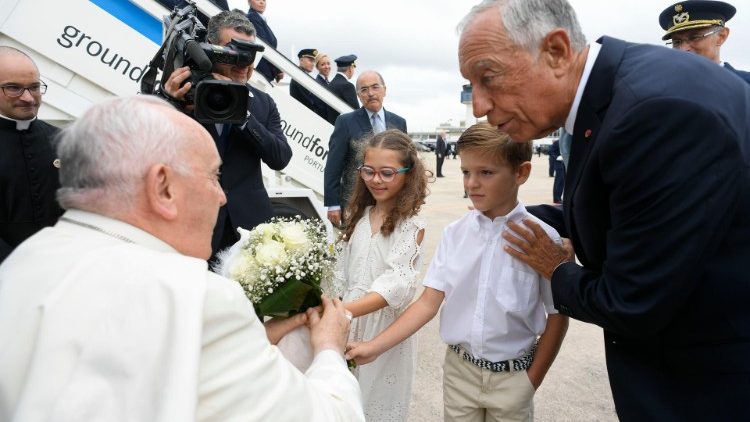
(533, 246)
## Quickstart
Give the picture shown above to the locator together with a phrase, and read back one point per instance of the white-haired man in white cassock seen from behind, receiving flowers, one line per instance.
(112, 315)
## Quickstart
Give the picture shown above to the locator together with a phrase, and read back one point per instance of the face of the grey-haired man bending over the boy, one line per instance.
(519, 93)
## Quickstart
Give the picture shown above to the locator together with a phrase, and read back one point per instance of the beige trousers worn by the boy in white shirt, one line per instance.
(474, 394)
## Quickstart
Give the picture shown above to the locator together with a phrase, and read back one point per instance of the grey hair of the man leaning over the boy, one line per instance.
(527, 22)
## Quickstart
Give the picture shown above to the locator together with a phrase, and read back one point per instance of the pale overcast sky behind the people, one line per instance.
(414, 44)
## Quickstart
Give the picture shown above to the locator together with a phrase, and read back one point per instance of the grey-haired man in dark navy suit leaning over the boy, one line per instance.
(656, 203)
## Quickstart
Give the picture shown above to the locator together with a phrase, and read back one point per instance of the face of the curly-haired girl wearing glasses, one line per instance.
(384, 192)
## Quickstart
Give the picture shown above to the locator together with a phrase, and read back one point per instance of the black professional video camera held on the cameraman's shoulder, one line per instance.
(215, 101)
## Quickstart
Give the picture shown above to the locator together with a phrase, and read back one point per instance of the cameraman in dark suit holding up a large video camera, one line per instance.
(243, 146)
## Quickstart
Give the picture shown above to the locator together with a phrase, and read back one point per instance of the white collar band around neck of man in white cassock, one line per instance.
(117, 229)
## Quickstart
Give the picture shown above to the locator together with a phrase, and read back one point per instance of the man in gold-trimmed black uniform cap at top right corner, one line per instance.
(698, 26)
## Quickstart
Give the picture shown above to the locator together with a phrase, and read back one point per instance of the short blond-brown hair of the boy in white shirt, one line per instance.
(485, 138)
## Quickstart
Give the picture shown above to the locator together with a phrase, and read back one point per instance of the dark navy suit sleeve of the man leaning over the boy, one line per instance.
(672, 185)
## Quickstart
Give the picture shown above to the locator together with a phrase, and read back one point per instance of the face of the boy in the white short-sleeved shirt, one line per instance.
(491, 183)
